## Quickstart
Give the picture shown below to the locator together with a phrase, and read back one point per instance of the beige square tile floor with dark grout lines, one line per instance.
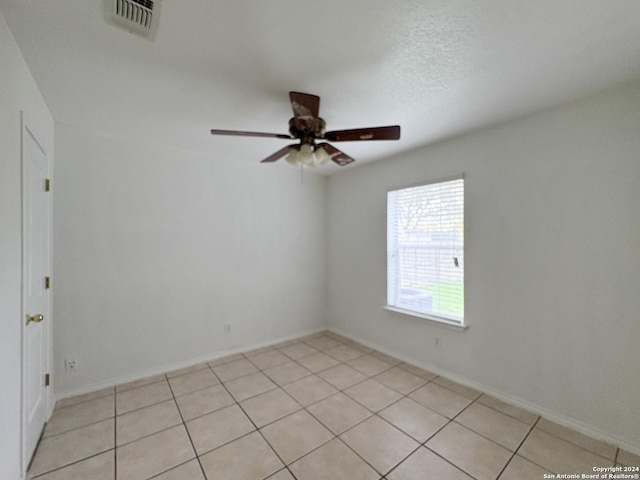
(319, 407)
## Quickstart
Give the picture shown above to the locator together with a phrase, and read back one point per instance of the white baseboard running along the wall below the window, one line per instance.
(505, 397)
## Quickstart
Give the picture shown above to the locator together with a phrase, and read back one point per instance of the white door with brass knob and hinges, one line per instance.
(35, 257)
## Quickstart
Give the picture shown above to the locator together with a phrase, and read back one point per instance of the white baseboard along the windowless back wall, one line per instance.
(170, 367)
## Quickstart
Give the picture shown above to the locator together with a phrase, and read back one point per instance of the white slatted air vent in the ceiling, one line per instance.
(139, 16)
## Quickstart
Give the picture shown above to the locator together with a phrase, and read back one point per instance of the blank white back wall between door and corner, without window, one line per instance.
(156, 249)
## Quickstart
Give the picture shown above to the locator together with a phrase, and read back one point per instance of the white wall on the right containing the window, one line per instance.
(552, 255)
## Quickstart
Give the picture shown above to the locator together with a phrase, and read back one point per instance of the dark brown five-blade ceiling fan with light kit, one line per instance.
(307, 126)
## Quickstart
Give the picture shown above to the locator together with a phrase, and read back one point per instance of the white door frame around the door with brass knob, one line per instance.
(26, 457)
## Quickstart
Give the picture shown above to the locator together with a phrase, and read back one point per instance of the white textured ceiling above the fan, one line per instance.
(436, 67)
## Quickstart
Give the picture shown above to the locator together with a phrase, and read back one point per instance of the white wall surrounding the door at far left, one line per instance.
(18, 92)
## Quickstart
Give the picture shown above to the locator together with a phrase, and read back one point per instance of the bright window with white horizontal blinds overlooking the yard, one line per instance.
(425, 251)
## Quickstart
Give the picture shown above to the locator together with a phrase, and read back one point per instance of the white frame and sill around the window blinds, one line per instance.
(442, 320)
